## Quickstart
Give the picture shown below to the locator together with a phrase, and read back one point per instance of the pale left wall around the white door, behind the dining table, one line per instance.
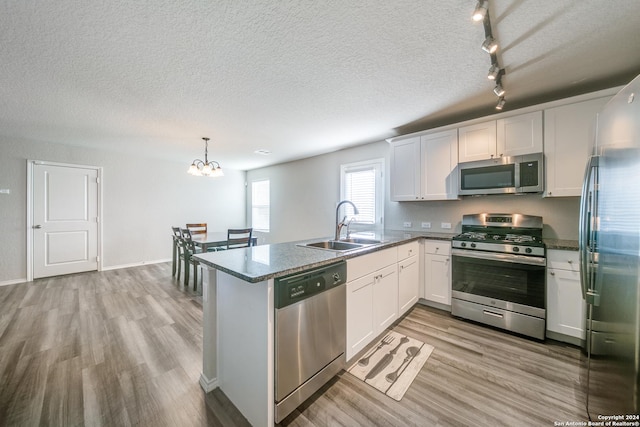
(142, 199)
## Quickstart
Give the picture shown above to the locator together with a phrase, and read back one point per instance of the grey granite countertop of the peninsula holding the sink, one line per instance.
(259, 263)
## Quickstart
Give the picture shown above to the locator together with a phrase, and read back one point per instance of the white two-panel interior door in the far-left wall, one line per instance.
(64, 219)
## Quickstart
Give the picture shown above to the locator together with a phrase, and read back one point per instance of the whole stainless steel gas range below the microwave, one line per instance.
(498, 272)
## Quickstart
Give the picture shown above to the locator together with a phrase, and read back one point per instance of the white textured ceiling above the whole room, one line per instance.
(296, 78)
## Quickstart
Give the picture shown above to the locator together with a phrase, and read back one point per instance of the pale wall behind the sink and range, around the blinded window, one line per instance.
(304, 195)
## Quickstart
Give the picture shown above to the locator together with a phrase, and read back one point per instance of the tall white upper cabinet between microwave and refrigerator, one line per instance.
(569, 132)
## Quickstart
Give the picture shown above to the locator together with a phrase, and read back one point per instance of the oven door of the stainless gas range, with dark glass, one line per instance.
(510, 282)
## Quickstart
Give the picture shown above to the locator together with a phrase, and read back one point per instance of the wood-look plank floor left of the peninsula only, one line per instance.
(114, 348)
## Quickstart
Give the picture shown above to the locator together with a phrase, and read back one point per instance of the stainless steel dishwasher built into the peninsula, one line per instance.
(310, 328)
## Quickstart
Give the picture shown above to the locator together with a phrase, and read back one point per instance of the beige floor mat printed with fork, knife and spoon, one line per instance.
(392, 364)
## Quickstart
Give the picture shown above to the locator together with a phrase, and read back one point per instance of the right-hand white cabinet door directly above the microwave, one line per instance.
(519, 135)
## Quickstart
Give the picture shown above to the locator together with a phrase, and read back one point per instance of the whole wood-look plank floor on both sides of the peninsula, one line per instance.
(124, 347)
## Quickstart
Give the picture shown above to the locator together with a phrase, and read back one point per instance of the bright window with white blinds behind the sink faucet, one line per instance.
(362, 183)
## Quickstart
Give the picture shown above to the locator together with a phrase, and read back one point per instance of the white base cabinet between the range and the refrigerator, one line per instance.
(565, 306)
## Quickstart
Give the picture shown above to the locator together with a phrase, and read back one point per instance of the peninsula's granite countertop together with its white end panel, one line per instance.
(238, 314)
